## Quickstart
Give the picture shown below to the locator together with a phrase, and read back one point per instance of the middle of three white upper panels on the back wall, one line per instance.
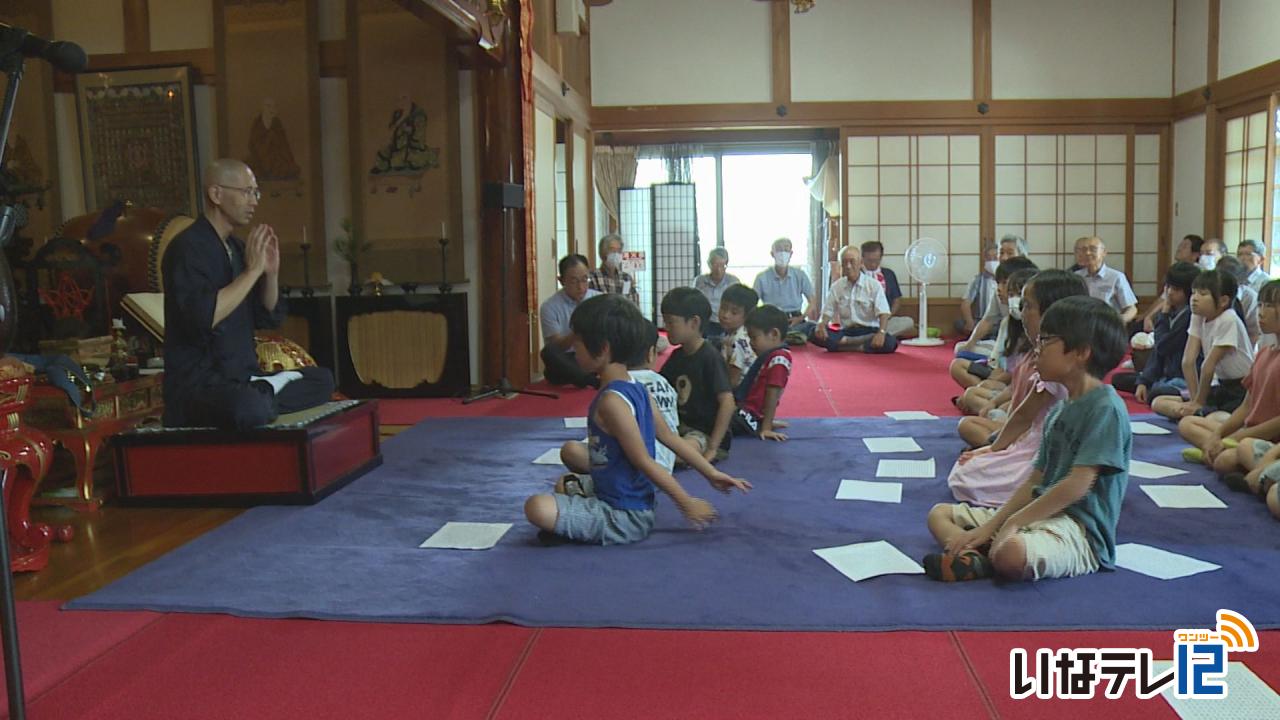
(875, 51)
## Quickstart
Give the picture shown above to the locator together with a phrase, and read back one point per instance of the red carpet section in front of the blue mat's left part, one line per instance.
(198, 667)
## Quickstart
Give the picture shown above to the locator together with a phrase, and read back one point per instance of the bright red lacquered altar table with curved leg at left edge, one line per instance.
(25, 458)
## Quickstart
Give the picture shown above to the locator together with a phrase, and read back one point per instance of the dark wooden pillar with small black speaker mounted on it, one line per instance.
(505, 313)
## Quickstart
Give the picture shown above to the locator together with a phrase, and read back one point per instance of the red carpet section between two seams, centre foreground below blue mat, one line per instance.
(574, 673)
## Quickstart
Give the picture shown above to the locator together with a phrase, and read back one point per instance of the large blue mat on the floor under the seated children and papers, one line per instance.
(355, 555)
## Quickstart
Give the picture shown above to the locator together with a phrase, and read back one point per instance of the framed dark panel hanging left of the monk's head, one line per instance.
(139, 139)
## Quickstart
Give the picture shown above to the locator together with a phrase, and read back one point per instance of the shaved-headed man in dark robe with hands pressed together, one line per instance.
(217, 291)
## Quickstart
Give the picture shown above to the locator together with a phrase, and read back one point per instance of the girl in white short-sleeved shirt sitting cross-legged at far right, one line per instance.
(1218, 389)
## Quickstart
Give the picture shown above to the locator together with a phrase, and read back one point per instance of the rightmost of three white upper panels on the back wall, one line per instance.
(1081, 49)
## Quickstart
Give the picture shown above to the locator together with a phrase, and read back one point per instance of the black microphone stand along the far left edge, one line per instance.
(12, 65)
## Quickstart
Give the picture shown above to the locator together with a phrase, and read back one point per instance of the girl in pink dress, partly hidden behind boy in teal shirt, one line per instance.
(989, 476)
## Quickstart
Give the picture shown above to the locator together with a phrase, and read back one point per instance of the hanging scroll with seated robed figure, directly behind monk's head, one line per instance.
(268, 90)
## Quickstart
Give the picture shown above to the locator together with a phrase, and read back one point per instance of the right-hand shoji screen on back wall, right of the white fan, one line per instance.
(1054, 189)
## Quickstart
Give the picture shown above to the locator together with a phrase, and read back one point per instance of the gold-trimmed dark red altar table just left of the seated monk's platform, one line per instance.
(115, 408)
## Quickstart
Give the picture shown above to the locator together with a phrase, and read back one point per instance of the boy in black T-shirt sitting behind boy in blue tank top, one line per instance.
(697, 371)
